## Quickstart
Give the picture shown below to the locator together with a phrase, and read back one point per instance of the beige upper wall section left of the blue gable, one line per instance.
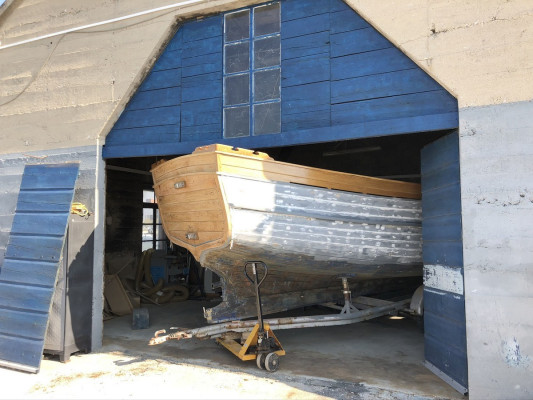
(68, 90)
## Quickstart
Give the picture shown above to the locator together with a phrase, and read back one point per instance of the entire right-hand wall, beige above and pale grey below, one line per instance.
(482, 52)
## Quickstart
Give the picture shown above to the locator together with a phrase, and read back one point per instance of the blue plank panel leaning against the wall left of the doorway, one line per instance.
(33, 255)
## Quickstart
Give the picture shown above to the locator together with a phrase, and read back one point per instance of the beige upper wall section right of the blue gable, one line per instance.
(480, 50)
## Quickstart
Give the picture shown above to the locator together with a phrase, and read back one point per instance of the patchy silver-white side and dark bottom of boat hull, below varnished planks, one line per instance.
(310, 238)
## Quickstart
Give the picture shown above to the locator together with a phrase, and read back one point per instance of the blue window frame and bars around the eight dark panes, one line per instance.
(252, 70)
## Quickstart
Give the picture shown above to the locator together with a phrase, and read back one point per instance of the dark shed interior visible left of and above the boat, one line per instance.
(168, 273)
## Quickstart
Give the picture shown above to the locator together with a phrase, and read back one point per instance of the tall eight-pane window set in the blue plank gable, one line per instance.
(252, 71)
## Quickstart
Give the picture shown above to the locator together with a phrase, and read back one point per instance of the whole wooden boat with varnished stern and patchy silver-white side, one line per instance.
(311, 227)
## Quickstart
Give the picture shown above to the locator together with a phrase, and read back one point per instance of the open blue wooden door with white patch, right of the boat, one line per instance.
(444, 311)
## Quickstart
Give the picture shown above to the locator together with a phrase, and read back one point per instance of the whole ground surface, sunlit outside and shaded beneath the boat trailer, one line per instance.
(379, 359)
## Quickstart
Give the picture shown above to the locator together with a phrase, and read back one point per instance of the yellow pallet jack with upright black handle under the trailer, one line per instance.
(261, 344)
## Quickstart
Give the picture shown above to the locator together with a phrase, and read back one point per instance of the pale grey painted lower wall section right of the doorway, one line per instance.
(497, 195)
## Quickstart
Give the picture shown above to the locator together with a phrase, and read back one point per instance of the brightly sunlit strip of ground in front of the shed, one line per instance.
(118, 373)
